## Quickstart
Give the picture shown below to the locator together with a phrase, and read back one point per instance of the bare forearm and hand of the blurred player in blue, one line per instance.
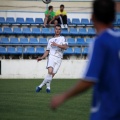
(82, 86)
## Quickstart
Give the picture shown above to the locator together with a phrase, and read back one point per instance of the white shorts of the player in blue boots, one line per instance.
(54, 62)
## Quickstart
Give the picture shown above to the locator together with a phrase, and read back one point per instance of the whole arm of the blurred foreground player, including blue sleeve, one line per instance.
(93, 71)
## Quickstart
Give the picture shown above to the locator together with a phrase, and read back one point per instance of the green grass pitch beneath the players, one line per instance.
(19, 101)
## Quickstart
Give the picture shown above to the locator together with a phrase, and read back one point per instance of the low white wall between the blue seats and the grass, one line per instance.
(33, 69)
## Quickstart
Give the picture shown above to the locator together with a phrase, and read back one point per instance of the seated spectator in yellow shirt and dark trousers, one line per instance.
(61, 17)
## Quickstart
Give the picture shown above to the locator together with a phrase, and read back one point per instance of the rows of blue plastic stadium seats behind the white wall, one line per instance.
(21, 36)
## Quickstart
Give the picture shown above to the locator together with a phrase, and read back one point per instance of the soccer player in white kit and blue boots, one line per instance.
(54, 51)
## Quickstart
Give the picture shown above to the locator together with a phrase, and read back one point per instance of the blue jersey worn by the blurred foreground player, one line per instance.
(104, 69)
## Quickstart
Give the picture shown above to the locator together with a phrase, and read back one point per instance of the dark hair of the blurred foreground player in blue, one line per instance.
(104, 11)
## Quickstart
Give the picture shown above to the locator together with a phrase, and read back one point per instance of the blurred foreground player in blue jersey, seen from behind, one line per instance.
(103, 69)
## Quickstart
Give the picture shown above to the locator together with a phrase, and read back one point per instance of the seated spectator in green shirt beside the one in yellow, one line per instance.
(50, 17)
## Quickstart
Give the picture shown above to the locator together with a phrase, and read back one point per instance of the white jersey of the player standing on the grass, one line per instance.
(54, 50)
